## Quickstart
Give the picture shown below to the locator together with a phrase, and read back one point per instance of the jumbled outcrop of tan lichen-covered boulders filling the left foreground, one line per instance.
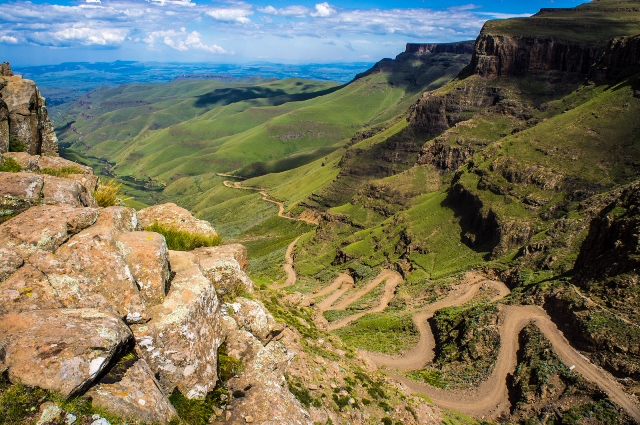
(91, 304)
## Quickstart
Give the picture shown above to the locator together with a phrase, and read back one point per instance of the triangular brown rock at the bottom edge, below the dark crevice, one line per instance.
(136, 395)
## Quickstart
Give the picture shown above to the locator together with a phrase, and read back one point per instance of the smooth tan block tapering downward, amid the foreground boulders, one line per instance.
(147, 256)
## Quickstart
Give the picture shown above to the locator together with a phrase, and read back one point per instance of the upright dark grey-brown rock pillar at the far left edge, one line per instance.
(24, 120)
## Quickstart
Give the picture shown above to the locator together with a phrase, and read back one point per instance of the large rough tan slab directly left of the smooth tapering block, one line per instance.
(90, 267)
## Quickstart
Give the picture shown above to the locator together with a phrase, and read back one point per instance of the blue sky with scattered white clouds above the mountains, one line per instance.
(283, 31)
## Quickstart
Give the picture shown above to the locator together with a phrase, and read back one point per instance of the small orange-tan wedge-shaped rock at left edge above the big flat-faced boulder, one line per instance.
(27, 289)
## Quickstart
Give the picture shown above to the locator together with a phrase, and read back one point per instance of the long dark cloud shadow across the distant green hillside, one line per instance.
(227, 96)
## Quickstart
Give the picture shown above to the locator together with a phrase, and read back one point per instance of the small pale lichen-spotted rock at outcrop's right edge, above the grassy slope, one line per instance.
(252, 316)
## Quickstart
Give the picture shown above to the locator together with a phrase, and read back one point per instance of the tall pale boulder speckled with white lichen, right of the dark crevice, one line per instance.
(181, 342)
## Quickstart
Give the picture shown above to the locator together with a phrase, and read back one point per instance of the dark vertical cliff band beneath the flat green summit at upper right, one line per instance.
(502, 56)
